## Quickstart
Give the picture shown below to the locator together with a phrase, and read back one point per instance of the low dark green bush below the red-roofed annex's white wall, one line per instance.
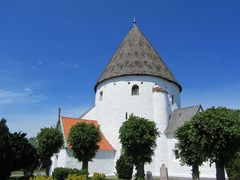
(62, 173)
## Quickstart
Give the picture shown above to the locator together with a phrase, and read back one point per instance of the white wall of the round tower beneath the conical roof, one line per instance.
(117, 100)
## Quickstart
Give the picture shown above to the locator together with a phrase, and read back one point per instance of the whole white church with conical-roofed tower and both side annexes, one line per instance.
(136, 81)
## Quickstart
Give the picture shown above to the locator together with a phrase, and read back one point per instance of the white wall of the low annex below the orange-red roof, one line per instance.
(103, 162)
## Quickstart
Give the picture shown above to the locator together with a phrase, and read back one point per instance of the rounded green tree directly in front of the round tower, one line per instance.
(138, 137)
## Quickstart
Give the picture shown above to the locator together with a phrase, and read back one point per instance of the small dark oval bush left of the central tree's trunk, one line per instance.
(124, 167)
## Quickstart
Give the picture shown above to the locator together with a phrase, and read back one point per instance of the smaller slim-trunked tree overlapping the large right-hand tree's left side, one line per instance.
(189, 152)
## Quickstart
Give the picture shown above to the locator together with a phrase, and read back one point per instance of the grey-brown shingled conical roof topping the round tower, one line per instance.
(136, 56)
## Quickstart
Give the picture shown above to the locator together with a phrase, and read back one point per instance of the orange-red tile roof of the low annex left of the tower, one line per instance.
(69, 122)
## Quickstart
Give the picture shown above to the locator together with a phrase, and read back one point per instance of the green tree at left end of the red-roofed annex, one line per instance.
(49, 140)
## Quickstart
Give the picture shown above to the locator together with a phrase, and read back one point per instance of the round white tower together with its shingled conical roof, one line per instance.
(138, 82)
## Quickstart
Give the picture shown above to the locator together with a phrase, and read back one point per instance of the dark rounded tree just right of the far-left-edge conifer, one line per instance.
(24, 154)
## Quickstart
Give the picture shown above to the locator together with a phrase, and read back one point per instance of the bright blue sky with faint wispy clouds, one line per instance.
(52, 52)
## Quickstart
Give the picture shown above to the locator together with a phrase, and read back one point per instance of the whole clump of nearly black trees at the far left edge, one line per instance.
(15, 152)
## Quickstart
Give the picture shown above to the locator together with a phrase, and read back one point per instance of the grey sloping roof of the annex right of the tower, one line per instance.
(180, 116)
